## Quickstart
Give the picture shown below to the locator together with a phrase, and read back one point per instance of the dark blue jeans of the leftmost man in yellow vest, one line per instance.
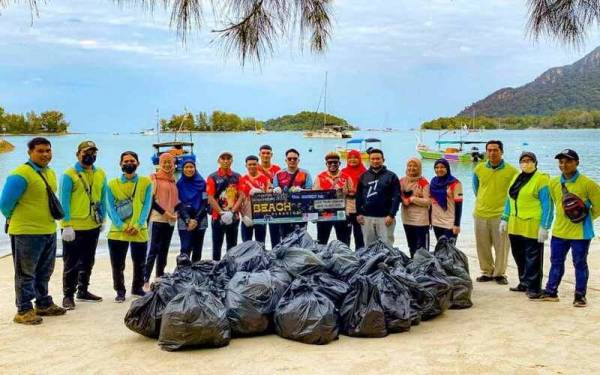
(33, 257)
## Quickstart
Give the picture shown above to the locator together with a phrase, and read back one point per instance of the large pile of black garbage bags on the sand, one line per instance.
(302, 291)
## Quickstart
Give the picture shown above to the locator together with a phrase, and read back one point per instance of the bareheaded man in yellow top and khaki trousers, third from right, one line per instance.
(491, 181)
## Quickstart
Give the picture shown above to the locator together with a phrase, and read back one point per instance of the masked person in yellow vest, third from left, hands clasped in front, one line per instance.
(129, 201)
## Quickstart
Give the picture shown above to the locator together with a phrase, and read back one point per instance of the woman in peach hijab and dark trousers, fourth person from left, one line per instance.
(163, 216)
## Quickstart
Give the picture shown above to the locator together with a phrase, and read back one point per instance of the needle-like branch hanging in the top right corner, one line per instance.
(564, 20)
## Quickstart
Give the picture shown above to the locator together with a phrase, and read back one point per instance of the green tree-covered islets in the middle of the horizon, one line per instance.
(224, 121)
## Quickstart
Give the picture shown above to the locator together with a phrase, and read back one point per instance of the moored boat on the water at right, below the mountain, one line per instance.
(457, 151)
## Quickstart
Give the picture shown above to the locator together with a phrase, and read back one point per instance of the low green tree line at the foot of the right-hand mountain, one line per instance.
(566, 119)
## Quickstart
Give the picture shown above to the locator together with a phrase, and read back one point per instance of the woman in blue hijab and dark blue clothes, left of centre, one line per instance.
(191, 211)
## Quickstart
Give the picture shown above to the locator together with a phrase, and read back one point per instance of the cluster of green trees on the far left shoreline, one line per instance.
(32, 123)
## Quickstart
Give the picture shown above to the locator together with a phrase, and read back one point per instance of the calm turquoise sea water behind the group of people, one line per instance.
(398, 147)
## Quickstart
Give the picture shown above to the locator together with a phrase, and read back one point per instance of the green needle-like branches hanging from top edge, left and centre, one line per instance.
(247, 28)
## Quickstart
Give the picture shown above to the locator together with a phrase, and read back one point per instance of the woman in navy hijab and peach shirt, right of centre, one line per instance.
(446, 201)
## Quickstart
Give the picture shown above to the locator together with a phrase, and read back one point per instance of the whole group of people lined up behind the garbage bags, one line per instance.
(511, 206)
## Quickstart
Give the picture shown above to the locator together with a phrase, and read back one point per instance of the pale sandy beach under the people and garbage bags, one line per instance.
(502, 333)
